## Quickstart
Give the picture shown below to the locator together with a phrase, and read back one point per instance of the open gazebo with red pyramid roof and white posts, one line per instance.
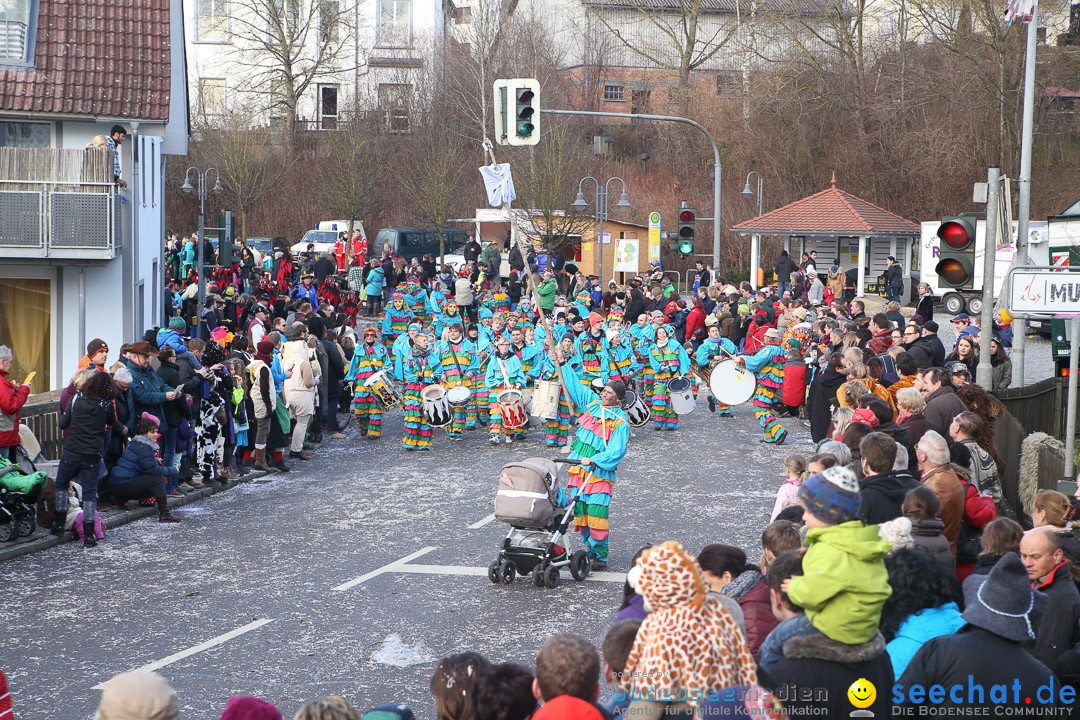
(838, 225)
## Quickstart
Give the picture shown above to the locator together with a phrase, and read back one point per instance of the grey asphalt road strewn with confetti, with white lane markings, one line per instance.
(282, 589)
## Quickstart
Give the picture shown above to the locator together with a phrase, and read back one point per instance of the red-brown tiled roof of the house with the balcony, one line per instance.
(97, 58)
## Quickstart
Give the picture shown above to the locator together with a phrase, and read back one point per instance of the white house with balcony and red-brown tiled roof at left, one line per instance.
(82, 256)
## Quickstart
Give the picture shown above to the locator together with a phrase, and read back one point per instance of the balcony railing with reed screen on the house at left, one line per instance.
(59, 205)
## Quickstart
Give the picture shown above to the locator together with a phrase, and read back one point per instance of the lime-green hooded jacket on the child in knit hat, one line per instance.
(844, 582)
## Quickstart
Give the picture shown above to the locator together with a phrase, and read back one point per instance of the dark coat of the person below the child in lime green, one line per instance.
(815, 667)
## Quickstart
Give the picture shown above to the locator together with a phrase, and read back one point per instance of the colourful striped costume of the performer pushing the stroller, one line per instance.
(603, 433)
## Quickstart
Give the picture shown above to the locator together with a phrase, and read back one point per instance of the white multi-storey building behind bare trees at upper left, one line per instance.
(343, 55)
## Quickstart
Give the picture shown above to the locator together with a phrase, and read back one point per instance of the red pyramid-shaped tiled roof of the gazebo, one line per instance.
(831, 211)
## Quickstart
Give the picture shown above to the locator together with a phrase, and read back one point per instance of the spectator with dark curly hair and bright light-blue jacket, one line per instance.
(924, 605)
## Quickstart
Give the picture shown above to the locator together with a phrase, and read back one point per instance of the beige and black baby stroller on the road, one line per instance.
(539, 513)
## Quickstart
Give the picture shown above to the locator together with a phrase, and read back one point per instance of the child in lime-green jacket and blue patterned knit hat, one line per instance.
(845, 582)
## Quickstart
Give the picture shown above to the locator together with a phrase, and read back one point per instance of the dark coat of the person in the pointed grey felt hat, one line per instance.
(989, 659)
